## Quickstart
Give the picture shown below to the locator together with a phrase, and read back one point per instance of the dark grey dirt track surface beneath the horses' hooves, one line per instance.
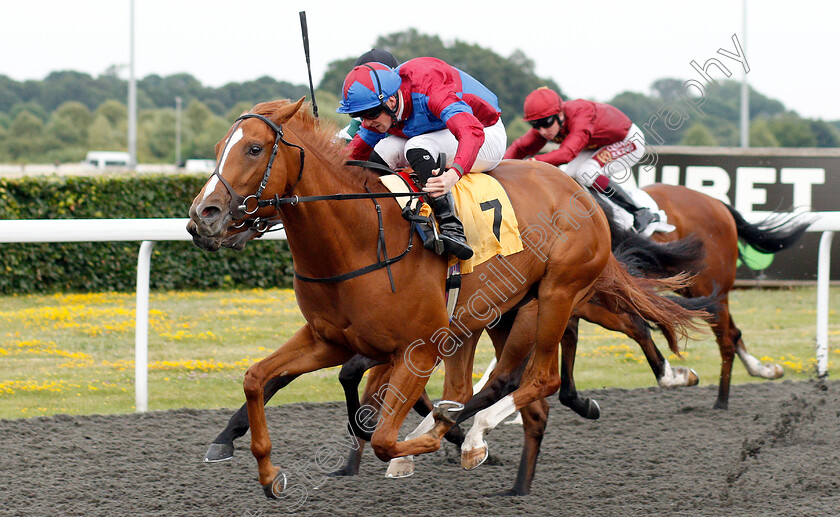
(653, 452)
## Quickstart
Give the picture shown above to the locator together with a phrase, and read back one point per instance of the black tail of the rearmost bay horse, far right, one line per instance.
(775, 233)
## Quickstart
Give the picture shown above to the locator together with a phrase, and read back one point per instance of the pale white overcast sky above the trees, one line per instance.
(593, 50)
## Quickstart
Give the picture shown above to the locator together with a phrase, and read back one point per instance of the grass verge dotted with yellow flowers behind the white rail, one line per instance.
(74, 353)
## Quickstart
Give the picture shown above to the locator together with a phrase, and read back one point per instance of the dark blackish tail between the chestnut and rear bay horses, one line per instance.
(644, 256)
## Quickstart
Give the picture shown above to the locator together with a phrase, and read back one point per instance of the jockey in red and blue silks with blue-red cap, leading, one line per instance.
(415, 112)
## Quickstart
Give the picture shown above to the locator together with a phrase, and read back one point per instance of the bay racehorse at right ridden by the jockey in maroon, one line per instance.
(718, 227)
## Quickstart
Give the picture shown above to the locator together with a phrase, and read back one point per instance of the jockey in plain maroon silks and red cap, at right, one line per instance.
(597, 141)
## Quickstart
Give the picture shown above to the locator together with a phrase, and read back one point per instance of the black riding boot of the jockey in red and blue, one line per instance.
(451, 229)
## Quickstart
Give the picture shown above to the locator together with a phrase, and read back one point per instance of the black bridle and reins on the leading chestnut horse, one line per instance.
(239, 207)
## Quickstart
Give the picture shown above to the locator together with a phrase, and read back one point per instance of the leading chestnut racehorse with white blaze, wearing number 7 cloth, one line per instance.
(287, 165)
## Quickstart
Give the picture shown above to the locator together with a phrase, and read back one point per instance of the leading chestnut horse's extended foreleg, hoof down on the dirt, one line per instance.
(301, 354)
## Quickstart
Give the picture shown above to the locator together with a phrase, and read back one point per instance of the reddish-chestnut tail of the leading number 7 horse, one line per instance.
(618, 290)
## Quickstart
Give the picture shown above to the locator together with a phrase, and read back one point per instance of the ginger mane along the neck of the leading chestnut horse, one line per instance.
(320, 138)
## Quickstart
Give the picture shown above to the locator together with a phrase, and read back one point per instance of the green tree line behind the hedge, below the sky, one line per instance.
(61, 117)
